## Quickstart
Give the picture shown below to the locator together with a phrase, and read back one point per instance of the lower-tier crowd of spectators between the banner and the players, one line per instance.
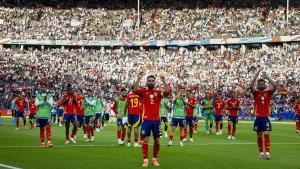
(106, 70)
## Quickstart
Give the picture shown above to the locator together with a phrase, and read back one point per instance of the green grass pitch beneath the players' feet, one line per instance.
(21, 149)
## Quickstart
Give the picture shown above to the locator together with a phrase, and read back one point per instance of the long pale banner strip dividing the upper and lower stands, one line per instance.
(153, 43)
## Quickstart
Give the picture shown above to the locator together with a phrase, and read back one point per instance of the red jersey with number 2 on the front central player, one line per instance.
(151, 103)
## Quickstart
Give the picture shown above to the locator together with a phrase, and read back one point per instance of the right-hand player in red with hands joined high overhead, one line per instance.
(262, 124)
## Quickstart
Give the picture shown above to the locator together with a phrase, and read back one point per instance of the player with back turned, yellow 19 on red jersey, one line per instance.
(134, 109)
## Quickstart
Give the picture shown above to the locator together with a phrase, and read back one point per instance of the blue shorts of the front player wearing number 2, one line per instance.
(148, 126)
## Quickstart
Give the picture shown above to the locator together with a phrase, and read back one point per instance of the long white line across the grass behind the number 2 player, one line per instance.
(114, 145)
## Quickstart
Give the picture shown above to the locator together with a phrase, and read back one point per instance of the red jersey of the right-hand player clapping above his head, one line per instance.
(262, 101)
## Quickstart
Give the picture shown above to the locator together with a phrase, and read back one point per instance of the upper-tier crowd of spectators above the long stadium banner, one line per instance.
(80, 23)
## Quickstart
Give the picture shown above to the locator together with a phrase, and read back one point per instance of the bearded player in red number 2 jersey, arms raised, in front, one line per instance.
(151, 99)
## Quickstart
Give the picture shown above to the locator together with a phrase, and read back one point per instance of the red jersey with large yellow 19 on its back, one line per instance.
(134, 103)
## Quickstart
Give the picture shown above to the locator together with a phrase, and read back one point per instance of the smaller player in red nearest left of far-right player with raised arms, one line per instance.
(233, 106)
